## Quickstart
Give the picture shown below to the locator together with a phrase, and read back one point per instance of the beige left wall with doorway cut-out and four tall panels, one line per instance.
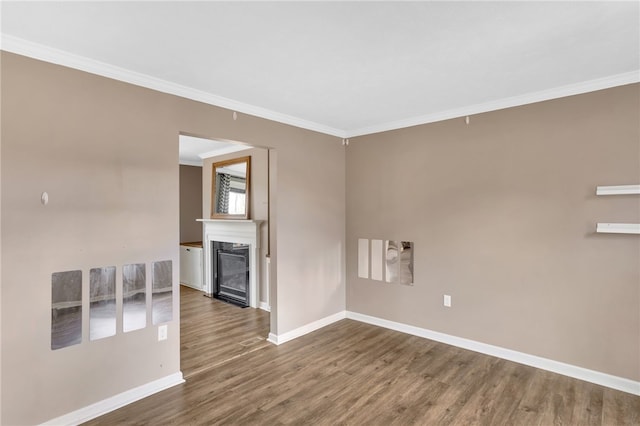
(107, 153)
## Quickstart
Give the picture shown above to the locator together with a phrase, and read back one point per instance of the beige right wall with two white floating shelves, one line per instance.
(502, 212)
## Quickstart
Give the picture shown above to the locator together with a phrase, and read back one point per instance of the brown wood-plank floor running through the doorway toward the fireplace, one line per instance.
(356, 374)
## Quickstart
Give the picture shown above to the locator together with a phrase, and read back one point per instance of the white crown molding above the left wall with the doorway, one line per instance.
(38, 51)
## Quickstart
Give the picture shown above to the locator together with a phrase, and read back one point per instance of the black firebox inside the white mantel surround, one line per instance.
(231, 272)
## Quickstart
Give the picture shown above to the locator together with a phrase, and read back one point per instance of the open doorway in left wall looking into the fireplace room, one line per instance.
(213, 330)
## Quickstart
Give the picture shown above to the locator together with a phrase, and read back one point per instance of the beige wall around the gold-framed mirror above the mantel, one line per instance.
(258, 202)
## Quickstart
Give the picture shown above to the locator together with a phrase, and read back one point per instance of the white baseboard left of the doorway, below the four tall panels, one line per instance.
(113, 403)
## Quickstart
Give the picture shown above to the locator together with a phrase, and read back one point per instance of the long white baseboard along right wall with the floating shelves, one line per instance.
(603, 379)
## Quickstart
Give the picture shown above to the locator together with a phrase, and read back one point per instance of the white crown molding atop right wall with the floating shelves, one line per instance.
(529, 98)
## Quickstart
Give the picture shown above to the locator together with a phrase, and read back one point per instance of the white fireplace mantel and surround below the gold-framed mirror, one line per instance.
(232, 231)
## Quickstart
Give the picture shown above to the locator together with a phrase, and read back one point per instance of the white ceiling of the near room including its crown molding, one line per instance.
(342, 68)
